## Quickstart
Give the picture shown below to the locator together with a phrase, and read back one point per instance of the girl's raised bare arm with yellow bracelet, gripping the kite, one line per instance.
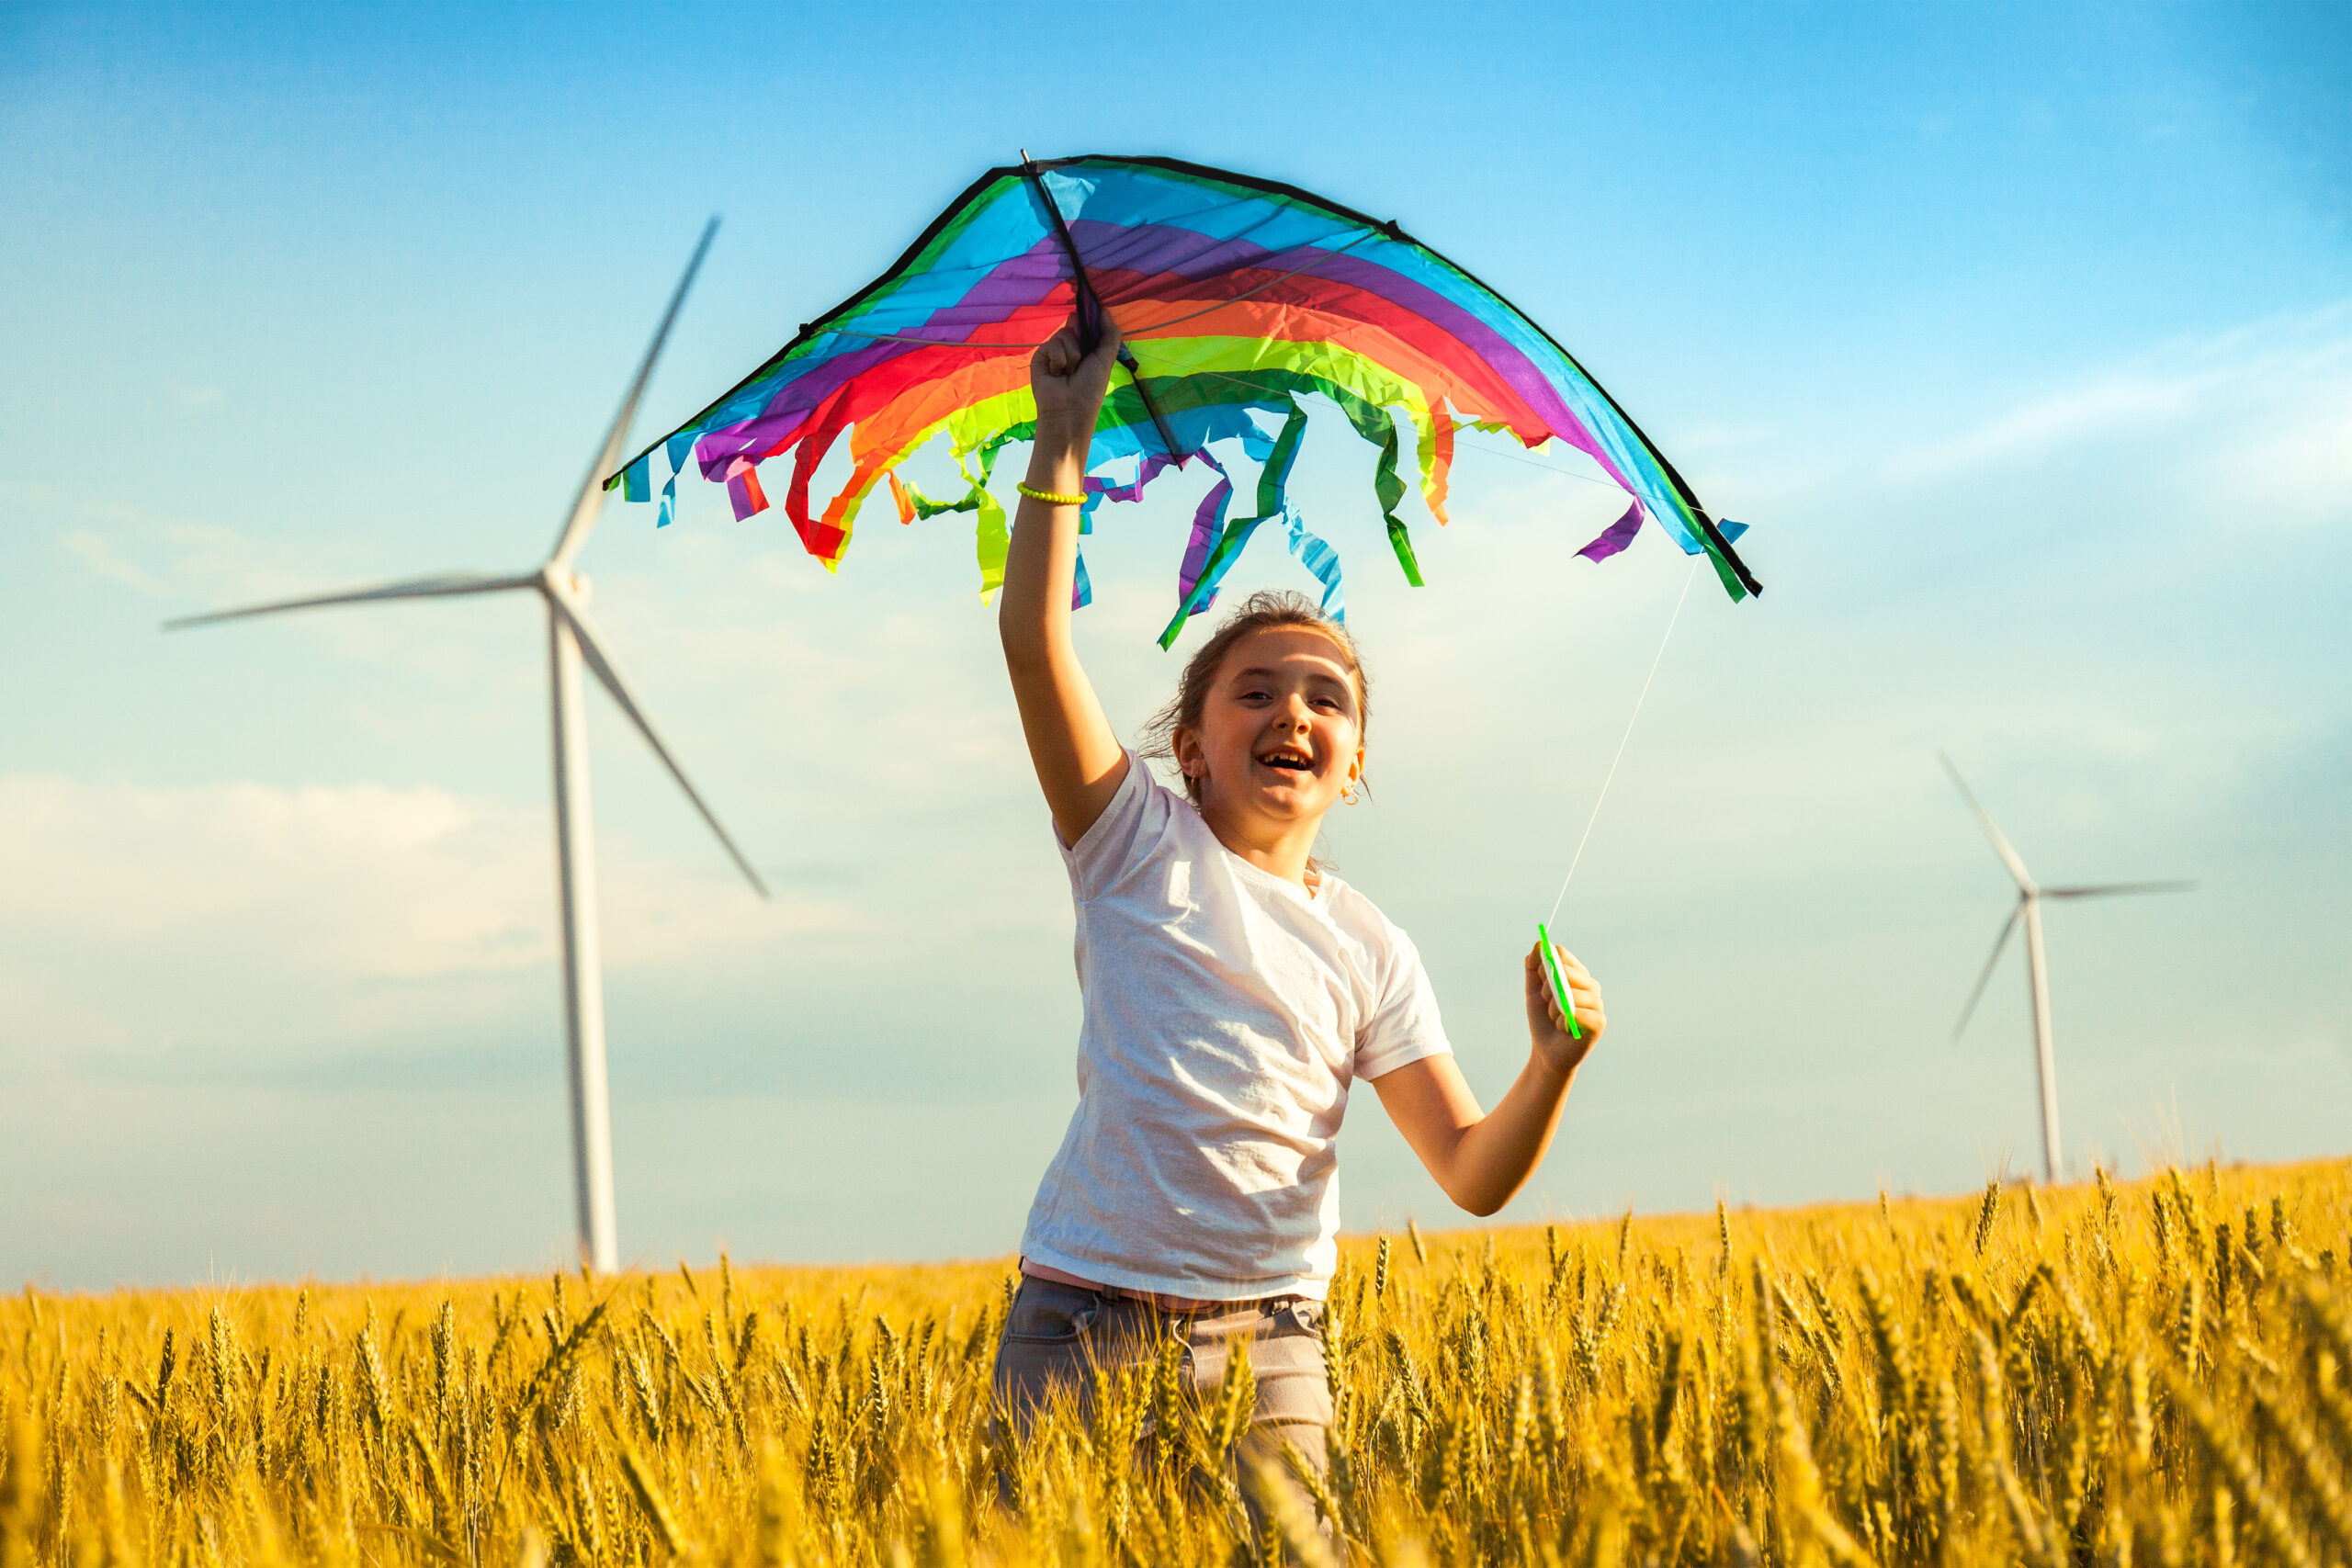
(1078, 758)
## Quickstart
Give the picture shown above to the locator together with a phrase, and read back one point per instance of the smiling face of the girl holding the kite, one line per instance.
(1281, 732)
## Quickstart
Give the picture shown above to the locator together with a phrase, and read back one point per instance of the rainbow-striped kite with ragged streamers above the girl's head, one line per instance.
(1234, 297)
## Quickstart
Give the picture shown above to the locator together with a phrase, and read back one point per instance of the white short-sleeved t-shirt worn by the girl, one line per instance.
(1227, 1014)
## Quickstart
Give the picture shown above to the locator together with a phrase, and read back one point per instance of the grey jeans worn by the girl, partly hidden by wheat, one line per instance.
(1057, 1336)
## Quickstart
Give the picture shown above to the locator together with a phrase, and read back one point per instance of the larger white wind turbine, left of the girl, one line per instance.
(573, 641)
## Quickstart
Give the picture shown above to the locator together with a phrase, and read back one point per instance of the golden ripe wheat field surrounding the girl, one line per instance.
(2099, 1374)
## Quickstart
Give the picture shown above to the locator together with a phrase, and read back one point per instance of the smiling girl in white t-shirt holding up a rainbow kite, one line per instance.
(1231, 989)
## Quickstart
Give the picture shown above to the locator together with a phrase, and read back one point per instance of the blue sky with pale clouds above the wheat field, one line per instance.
(2024, 340)
